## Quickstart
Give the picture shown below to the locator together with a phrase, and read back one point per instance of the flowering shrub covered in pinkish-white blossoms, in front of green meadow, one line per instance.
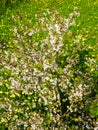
(48, 76)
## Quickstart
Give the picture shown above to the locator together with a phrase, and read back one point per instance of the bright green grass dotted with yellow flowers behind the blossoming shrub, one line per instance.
(87, 20)
